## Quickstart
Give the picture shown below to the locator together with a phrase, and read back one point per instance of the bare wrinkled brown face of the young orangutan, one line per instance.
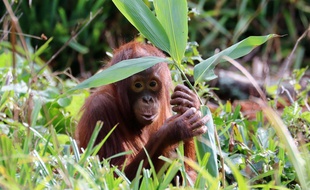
(145, 89)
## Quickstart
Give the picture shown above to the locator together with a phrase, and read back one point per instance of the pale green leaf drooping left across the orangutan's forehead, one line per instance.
(120, 71)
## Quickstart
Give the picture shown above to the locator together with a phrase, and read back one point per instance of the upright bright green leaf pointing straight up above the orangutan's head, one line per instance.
(172, 15)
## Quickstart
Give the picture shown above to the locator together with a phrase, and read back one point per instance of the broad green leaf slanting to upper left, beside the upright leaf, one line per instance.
(141, 17)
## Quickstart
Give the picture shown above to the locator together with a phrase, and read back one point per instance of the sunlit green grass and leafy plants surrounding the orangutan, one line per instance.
(39, 107)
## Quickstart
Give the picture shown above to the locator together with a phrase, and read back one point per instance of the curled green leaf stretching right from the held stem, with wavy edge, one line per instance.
(204, 70)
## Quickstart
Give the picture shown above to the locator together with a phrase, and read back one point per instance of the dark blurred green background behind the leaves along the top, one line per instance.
(213, 24)
